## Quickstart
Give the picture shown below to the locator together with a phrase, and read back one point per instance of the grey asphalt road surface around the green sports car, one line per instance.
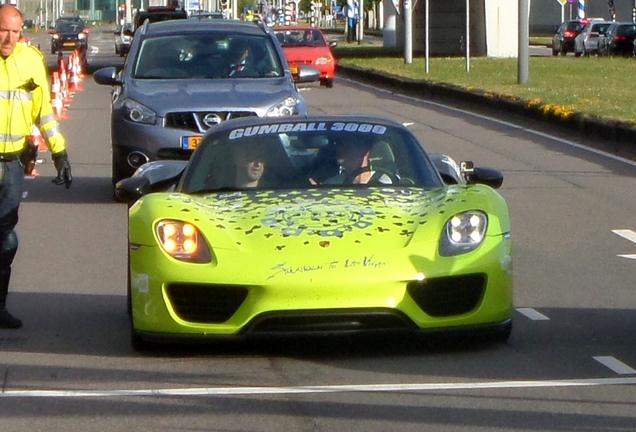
(569, 365)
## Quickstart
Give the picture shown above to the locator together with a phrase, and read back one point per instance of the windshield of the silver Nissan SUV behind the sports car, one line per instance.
(207, 55)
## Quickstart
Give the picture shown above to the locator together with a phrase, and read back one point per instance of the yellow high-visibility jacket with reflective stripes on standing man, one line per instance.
(25, 100)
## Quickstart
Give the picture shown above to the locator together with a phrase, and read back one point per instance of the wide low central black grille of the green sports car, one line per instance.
(342, 321)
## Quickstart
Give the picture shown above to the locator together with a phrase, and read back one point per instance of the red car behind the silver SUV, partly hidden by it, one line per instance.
(307, 45)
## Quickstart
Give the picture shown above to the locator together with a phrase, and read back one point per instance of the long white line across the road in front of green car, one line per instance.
(229, 391)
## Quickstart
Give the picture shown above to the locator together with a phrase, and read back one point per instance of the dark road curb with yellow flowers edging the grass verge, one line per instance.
(583, 124)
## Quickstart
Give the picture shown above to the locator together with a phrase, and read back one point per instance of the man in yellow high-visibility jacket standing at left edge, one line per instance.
(25, 101)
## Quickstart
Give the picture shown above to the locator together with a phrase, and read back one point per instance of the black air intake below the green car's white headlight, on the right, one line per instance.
(448, 296)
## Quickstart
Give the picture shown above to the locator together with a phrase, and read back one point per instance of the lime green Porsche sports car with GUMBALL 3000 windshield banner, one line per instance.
(319, 224)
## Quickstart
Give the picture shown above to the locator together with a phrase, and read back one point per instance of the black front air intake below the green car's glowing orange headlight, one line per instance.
(209, 304)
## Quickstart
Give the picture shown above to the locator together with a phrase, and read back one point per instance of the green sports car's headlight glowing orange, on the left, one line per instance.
(182, 241)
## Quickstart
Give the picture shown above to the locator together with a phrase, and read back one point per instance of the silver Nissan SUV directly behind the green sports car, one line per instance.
(183, 77)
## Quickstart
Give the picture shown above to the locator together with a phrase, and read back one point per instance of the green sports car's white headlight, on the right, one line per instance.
(463, 233)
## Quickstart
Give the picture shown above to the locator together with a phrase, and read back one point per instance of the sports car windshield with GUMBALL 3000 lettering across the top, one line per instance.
(309, 155)
